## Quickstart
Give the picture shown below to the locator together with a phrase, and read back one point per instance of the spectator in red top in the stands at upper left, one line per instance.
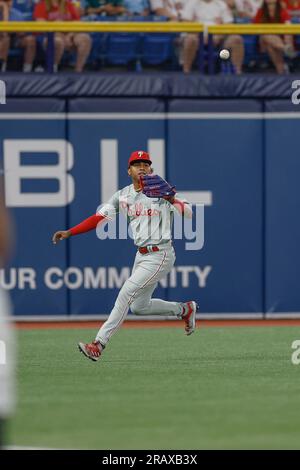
(64, 10)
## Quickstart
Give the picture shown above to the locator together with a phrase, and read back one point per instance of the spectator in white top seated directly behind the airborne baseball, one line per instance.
(210, 12)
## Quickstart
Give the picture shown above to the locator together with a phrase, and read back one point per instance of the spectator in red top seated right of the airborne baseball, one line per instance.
(275, 45)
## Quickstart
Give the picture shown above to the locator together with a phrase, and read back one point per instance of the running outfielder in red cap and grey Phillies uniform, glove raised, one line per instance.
(149, 204)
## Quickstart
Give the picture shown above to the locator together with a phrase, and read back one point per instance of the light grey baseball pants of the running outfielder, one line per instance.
(137, 291)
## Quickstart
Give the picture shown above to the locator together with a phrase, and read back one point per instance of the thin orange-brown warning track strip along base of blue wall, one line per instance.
(155, 324)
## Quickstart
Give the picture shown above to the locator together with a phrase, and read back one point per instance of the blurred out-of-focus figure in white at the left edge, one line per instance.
(7, 341)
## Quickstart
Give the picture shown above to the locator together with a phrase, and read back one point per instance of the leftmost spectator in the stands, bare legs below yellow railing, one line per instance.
(23, 40)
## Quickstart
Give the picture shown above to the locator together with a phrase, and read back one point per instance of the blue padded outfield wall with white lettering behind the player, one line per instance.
(63, 156)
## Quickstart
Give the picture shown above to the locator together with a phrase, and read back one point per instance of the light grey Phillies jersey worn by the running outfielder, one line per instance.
(150, 219)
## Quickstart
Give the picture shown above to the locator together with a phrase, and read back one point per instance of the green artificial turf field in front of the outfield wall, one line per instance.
(221, 388)
